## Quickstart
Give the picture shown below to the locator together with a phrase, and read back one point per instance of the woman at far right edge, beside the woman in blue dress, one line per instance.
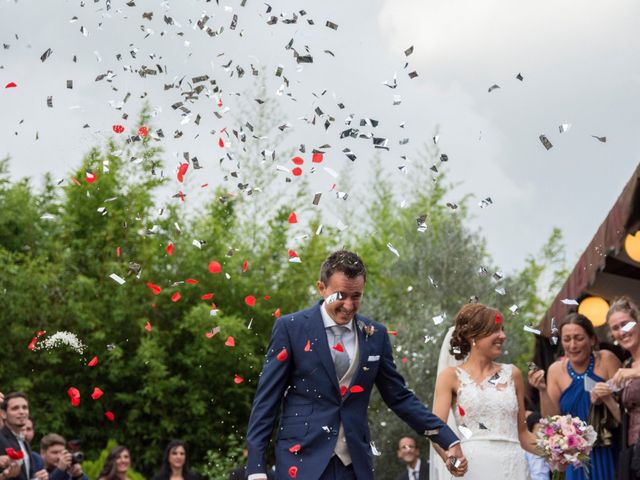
(622, 319)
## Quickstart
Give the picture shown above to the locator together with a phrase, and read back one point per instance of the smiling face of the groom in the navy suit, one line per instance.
(343, 306)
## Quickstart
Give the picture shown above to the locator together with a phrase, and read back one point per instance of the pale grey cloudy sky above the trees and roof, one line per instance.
(578, 61)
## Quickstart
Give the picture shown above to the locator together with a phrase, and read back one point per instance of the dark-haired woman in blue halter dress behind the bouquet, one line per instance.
(564, 391)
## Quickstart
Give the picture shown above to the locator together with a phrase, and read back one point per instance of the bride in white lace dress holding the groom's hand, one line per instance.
(487, 398)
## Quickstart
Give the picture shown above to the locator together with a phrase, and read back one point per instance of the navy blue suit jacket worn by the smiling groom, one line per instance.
(304, 382)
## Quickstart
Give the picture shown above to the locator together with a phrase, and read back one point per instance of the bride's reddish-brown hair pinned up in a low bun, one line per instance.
(474, 320)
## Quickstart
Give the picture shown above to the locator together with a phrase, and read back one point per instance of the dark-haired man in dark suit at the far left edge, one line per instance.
(15, 412)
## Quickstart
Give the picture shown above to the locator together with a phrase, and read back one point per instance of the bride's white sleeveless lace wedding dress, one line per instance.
(486, 415)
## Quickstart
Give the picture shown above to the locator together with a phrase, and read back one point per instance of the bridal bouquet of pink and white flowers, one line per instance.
(565, 440)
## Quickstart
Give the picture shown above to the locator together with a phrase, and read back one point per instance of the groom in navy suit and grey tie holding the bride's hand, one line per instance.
(321, 365)
